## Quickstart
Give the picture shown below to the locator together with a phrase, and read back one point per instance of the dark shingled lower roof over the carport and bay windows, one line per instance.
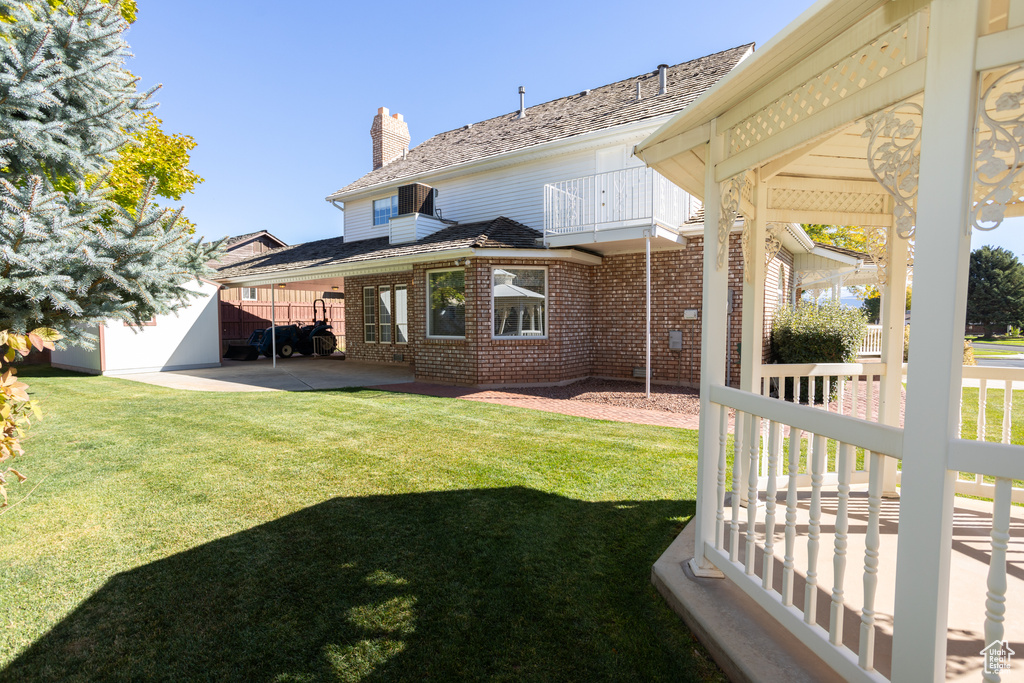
(498, 234)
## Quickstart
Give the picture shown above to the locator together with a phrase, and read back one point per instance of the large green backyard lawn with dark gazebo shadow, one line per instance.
(338, 536)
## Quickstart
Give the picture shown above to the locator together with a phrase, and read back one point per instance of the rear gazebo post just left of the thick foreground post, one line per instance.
(893, 316)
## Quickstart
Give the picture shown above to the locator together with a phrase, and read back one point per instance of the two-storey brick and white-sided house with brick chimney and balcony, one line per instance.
(518, 250)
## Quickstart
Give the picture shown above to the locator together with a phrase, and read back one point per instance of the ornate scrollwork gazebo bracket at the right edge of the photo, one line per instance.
(999, 152)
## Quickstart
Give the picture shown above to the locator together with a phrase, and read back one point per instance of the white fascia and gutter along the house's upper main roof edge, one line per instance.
(582, 143)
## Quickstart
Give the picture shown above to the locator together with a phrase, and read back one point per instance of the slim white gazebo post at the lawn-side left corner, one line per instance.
(714, 346)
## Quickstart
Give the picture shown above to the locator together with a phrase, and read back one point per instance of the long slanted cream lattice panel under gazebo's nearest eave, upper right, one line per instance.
(871, 64)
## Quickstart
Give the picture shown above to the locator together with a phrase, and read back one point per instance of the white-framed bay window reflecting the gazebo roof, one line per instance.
(520, 303)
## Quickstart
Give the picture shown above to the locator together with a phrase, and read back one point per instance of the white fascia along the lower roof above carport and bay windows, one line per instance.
(400, 264)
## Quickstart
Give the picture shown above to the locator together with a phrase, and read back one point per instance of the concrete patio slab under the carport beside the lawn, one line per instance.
(297, 374)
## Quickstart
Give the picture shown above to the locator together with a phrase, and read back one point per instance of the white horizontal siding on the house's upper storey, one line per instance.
(515, 192)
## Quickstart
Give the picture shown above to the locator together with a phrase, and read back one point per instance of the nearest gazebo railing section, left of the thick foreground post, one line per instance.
(801, 443)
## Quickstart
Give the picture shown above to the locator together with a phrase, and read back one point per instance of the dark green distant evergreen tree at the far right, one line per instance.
(996, 288)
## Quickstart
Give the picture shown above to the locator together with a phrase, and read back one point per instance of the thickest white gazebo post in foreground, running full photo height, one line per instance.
(943, 252)
